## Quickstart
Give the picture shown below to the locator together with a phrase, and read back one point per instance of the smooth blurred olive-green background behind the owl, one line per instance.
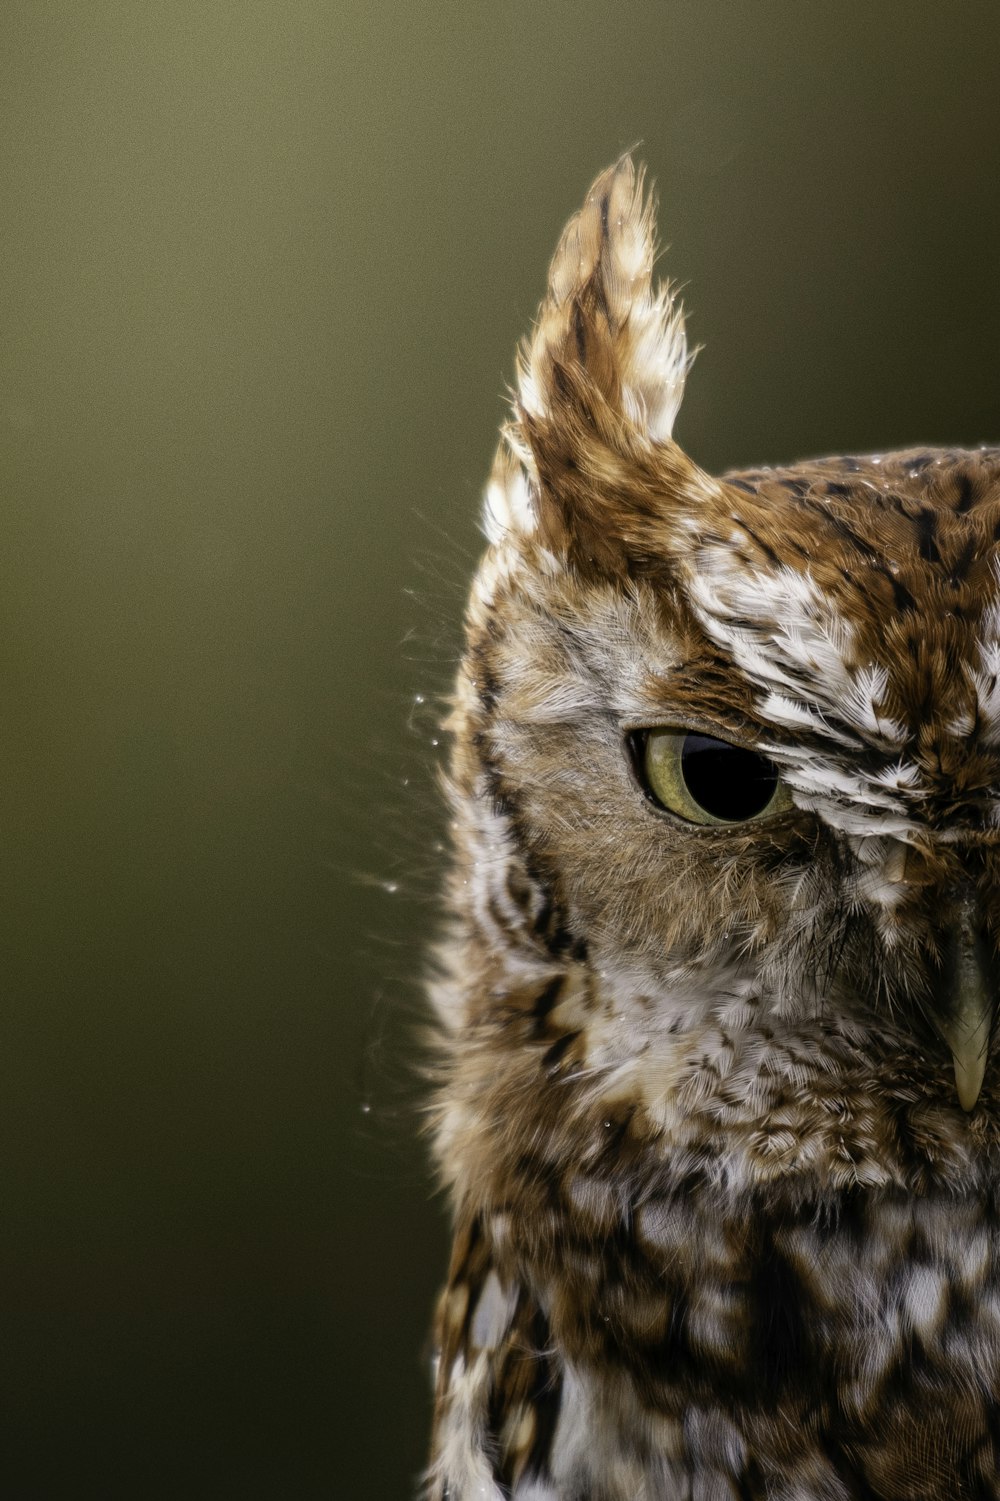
(264, 272)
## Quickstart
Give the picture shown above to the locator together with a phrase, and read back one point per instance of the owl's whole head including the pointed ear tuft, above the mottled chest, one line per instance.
(727, 751)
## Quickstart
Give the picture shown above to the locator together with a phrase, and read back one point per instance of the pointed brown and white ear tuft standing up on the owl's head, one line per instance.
(589, 460)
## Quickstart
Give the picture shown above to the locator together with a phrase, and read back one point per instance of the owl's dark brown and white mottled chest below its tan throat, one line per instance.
(652, 1331)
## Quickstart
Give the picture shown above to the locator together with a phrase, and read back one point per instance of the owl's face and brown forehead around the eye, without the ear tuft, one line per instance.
(759, 745)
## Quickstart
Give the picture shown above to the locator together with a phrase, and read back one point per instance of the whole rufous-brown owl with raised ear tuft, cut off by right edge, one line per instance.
(718, 1108)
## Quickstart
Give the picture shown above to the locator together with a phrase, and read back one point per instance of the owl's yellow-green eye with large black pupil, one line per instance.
(708, 781)
